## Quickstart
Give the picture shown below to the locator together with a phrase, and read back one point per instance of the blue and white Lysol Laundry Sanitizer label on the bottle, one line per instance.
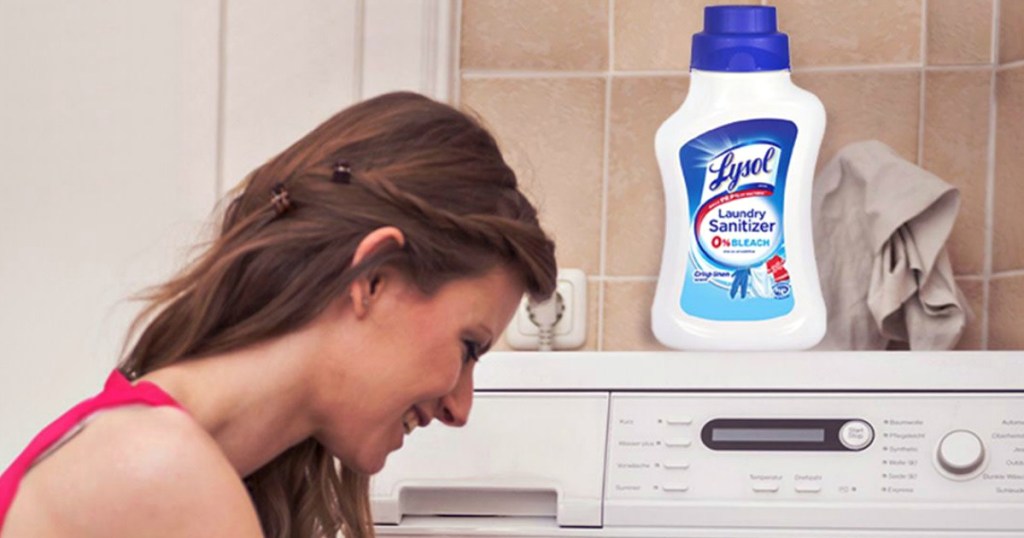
(736, 182)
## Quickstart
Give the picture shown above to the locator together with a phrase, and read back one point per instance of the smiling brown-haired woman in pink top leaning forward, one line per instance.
(357, 279)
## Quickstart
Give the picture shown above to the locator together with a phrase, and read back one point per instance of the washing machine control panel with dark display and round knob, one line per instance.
(858, 448)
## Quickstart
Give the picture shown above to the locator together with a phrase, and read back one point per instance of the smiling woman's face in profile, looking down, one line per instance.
(416, 362)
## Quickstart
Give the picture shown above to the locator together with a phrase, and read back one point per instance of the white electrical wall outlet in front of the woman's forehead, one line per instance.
(570, 332)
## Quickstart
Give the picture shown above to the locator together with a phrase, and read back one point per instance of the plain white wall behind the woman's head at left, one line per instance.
(120, 123)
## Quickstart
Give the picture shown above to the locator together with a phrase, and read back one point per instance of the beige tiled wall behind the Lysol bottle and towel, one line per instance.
(575, 91)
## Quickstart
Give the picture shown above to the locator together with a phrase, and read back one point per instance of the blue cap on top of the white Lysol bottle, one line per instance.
(741, 39)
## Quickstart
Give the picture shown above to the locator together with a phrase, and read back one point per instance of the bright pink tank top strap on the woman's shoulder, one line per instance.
(117, 392)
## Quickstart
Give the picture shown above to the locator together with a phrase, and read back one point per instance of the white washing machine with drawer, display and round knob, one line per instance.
(714, 445)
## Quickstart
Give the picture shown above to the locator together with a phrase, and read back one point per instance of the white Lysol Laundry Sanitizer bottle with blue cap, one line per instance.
(738, 163)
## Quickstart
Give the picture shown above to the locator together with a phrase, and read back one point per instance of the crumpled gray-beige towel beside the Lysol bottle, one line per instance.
(881, 226)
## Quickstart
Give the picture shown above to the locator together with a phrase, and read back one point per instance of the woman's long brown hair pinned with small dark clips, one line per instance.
(409, 162)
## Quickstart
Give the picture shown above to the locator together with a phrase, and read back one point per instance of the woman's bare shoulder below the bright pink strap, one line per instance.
(139, 472)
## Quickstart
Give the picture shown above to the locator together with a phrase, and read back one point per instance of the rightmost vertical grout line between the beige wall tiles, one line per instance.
(987, 291)
